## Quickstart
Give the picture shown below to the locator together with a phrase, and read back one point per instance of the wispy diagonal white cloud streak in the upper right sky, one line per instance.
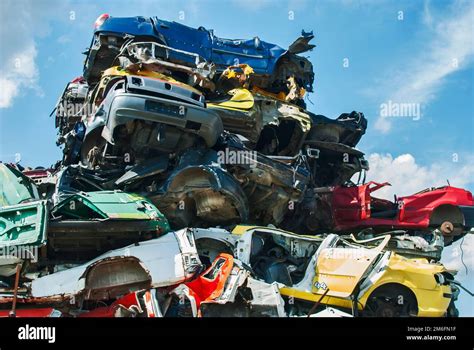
(449, 49)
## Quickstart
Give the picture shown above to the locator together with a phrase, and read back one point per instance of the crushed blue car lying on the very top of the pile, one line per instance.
(271, 63)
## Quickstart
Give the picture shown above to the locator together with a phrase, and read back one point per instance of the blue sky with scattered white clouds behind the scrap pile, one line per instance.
(368, 53)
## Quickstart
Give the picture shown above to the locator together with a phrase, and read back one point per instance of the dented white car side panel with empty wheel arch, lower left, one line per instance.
(167, 260)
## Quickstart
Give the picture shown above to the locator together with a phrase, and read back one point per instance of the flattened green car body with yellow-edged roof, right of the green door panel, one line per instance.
(85, 224)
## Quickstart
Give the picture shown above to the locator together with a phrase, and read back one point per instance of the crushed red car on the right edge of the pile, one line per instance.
(448, 208)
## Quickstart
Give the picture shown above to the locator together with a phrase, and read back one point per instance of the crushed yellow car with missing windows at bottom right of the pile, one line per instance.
(340, 272)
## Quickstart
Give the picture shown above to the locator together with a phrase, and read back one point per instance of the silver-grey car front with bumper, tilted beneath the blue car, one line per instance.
(132, 123)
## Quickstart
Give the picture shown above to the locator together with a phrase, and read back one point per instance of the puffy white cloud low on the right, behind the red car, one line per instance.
(408, 177)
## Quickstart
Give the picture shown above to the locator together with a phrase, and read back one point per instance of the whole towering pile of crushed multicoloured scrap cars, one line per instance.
(194, 182)
